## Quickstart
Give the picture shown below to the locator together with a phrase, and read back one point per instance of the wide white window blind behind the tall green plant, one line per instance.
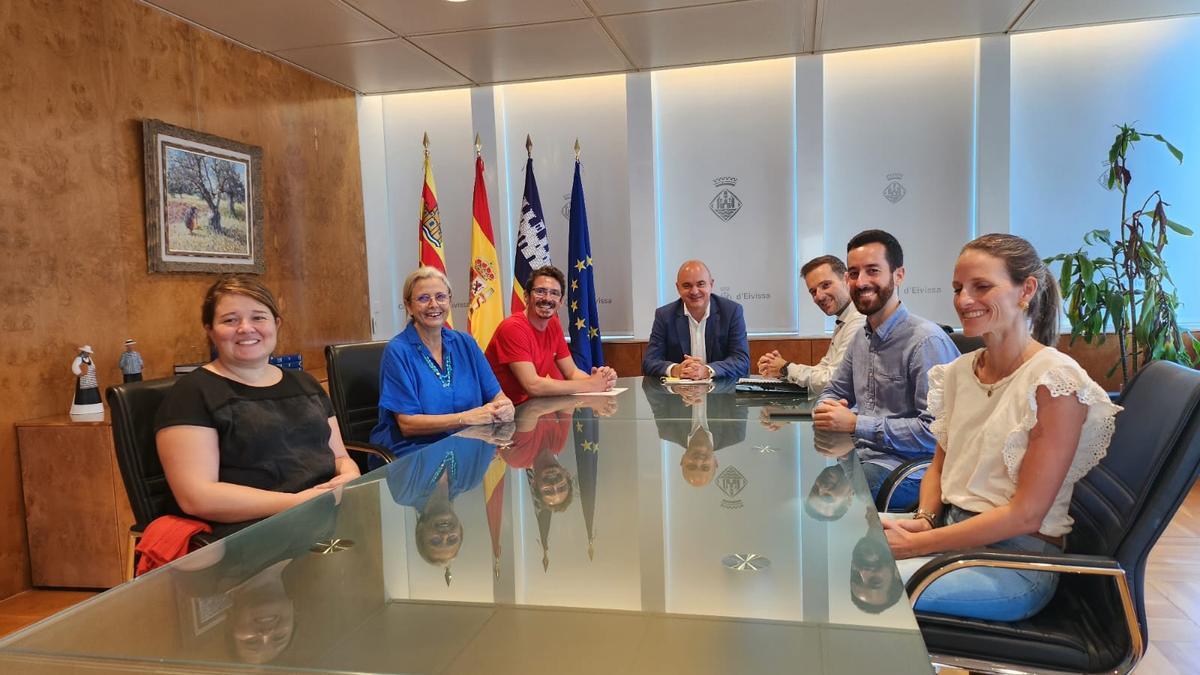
(1070, 89)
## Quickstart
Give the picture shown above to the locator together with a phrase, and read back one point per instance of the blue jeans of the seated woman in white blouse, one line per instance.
(988, 593)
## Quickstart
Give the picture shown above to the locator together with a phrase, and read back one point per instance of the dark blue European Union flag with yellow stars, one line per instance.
(581, 290)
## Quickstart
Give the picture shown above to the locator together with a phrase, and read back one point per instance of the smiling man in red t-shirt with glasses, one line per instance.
(529, 353)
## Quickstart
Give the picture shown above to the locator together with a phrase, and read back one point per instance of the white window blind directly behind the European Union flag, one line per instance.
(555, 115)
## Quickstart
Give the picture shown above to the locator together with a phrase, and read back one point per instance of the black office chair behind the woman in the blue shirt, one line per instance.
(355, 389)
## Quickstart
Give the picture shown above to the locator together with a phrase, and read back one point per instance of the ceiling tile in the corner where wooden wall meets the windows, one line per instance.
(376, 68)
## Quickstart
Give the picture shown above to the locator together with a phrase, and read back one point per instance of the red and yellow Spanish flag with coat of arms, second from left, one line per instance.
(485, 309)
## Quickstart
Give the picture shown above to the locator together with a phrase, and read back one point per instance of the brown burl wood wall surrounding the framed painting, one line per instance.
(76, 80)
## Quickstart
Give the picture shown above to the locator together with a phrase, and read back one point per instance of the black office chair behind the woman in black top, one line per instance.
(134, 408)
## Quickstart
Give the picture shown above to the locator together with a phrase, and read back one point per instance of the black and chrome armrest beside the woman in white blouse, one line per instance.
(1070, 564)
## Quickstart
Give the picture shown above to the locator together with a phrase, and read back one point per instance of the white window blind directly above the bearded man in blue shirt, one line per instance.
(898, 146)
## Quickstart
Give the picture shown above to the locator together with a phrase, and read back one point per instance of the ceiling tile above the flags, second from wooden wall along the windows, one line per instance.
(530, 52)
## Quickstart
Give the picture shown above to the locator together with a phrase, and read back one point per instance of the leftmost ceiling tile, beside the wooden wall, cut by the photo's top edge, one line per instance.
(279, 25)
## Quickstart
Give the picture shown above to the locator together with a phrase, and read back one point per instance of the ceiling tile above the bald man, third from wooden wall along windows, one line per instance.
(715, 33)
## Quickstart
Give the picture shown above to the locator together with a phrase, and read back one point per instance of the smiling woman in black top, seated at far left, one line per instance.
(241, 439)
